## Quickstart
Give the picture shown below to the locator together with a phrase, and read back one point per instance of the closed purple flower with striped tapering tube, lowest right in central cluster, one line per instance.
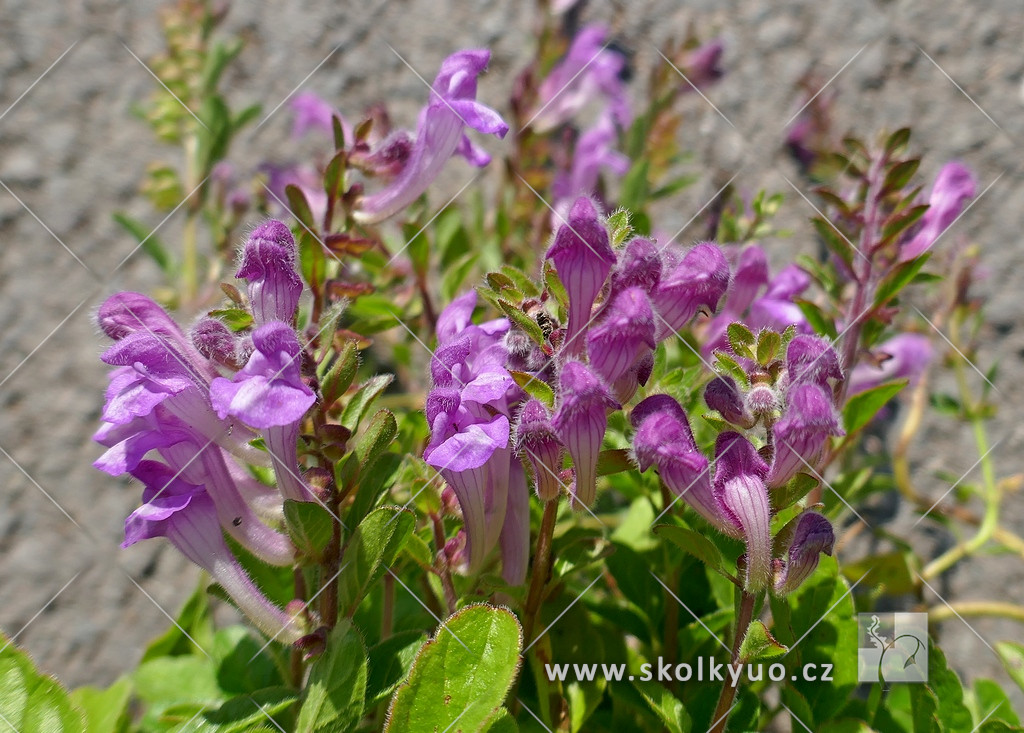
(580, 423)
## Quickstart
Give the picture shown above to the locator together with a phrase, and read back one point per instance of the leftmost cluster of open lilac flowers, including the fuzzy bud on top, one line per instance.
(176, 422)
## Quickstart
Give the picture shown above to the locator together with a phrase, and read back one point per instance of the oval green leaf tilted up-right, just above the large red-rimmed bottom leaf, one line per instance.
(374, 546)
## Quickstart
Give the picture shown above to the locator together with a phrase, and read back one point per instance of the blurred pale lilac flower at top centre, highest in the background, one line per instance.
(590, 71)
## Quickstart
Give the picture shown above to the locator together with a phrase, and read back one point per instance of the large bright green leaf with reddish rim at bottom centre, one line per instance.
(462, 675)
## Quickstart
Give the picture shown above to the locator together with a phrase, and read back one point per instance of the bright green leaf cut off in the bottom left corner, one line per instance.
(31, 702)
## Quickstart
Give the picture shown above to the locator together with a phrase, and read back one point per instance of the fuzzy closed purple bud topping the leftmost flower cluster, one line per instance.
(268, 264)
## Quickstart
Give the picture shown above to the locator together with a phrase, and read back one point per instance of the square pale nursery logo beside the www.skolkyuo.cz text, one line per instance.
(892, 648)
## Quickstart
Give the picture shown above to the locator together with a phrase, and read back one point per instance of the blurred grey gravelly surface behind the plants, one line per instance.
(72, 153)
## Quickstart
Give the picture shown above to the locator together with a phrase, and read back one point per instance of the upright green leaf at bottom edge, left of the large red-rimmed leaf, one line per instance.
(335, 696)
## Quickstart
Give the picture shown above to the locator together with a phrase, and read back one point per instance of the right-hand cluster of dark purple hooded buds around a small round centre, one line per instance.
(742, 494)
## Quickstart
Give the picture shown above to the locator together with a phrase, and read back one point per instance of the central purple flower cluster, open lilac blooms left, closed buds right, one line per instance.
(486, 428)
